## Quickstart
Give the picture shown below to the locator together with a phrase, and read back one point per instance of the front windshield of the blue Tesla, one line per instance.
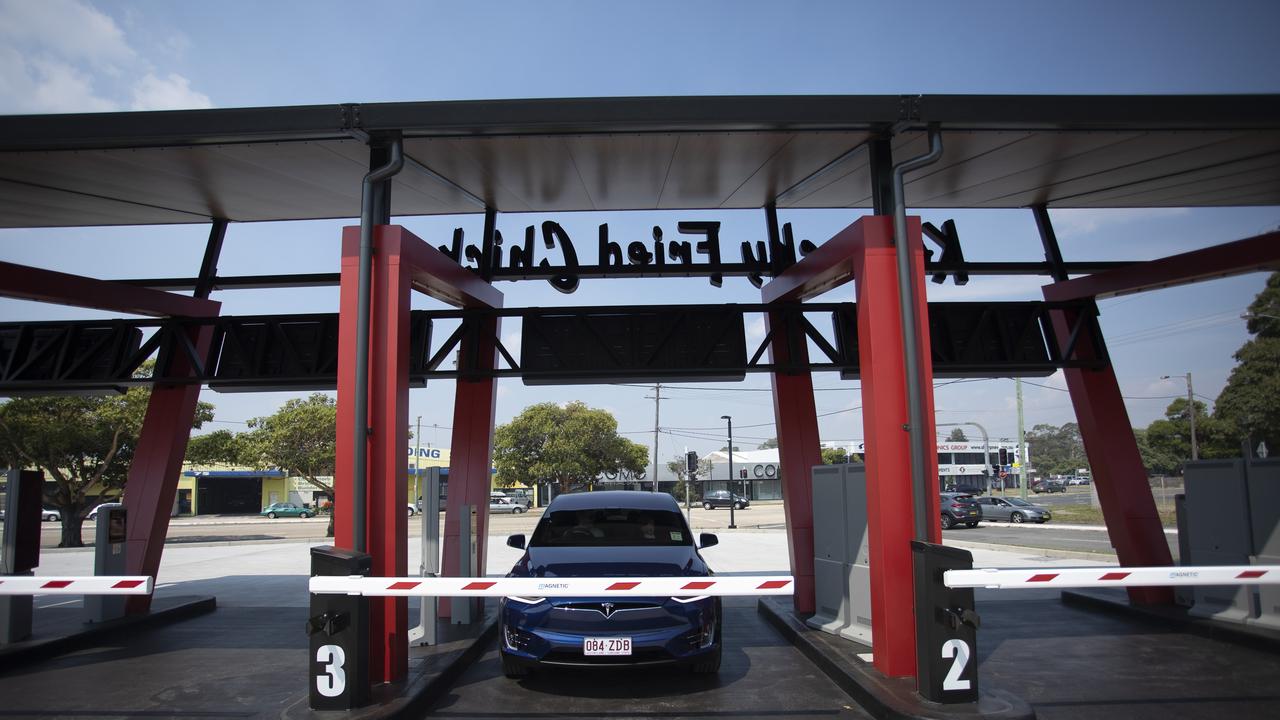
(611, 527)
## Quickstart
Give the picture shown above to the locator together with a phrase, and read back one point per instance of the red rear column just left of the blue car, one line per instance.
(472, 452)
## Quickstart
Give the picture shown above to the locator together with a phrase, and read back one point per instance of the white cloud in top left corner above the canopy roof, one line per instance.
(68, 57)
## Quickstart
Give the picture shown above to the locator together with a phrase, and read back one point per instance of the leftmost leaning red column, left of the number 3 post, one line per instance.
(157, 468)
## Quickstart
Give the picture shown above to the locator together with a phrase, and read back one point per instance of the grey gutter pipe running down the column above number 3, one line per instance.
(359, 477)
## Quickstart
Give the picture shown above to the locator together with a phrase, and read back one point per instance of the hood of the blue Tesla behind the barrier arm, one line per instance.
(610, 563)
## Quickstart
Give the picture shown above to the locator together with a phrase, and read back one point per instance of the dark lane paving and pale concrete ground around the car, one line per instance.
(249, 658)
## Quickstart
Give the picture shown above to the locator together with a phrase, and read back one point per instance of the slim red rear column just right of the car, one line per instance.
(799, 450)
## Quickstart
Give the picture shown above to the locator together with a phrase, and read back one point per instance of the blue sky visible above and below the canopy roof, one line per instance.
(75, 56)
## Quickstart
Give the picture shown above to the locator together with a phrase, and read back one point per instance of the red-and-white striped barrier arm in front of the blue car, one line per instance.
(554, 587)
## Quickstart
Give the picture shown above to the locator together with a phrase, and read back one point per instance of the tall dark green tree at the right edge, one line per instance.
(1249, 408)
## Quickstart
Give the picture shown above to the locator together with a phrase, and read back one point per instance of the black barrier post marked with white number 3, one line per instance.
(340, 635)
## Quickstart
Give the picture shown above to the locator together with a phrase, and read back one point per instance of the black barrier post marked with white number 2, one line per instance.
(947, 627)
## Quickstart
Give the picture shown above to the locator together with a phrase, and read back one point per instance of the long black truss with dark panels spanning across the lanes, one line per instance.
(560, 347)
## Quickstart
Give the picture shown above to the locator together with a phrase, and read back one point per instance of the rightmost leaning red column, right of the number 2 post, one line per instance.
(1119, 476)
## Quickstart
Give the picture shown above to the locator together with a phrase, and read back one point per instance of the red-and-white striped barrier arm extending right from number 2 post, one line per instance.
(1027, 578)
